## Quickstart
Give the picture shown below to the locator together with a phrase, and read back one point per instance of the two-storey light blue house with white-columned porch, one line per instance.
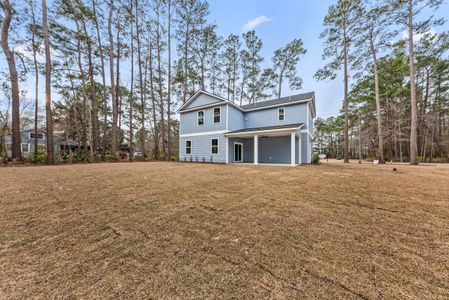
(215, 129)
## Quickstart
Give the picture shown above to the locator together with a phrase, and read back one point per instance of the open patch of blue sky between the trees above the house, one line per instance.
(289, 19)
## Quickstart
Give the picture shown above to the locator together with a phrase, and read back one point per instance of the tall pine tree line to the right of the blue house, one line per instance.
(396, 99)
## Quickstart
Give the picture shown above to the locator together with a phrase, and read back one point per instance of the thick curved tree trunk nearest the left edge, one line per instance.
(16, 151)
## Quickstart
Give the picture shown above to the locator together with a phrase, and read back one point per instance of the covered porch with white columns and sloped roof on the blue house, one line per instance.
(265, 145)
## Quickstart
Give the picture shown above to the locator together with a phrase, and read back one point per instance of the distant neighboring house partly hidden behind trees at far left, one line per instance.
(27, 143)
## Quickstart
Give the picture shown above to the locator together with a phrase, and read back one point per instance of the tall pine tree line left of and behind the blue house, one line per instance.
(111, 83)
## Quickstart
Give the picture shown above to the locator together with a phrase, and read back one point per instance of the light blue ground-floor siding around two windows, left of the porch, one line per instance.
(202, 148)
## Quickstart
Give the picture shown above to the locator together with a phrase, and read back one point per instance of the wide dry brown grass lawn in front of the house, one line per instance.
(172, 230)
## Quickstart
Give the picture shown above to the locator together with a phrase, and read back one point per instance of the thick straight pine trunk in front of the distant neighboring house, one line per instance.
(48, 113)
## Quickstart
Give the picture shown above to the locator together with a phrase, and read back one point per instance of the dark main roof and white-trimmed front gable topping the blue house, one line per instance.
(298, 98)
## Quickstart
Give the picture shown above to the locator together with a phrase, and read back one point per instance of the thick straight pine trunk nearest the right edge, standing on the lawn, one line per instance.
(414, 116)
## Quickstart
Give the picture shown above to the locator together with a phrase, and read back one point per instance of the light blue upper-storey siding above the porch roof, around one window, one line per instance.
(296, 113)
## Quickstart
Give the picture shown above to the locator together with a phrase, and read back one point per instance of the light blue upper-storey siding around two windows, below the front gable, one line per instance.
(189, 121)
